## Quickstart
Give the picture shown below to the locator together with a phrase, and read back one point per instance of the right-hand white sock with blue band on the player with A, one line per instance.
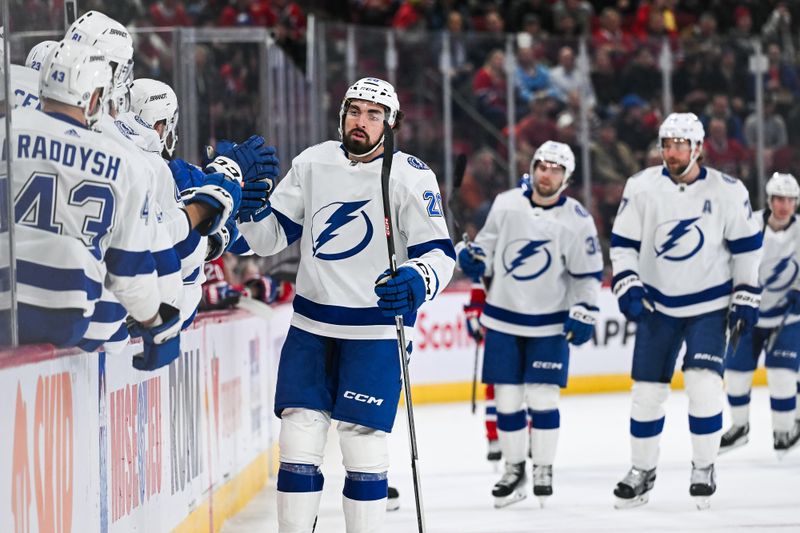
(704, 388)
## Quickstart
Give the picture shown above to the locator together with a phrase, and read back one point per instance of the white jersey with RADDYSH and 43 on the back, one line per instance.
(82, 220)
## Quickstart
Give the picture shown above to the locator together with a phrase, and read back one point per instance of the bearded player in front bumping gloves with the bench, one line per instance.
(340, 360)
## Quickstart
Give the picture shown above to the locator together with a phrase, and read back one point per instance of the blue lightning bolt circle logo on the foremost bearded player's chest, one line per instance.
(339, 230)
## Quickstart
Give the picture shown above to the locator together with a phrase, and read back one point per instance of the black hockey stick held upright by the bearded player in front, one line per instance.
(386, 169)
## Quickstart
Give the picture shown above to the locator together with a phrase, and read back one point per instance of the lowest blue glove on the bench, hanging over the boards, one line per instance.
(161, 341)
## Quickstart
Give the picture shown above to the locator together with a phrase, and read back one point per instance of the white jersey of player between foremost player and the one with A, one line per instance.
(542, 260)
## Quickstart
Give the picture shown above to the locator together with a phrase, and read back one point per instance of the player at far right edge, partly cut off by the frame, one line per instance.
(778, 330)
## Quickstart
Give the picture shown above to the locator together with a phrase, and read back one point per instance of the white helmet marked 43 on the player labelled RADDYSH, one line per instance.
(71, 73)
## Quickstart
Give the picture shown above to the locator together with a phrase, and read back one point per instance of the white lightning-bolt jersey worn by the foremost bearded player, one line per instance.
(333, 205)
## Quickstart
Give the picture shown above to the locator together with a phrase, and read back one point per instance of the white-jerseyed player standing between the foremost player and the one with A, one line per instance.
(541, 251)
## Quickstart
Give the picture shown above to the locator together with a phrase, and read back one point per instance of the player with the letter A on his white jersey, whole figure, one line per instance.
(685, 249)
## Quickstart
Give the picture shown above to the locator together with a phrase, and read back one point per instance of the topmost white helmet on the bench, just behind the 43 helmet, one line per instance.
(113, 39)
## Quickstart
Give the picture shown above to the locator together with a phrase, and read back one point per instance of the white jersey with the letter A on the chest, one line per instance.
(691, 245)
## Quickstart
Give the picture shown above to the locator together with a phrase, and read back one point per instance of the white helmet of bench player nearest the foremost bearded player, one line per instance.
(155, 101)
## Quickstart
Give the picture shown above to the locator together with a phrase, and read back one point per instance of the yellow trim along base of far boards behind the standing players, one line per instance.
(462, 391)
